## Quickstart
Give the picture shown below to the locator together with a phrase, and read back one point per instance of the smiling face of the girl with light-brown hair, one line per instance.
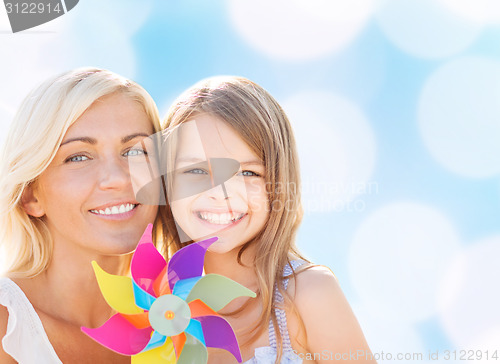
(235, 210)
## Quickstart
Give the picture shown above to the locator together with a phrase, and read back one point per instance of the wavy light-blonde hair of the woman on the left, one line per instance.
(32, 142)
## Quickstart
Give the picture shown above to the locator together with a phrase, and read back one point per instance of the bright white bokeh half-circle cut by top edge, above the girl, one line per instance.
(299, 30)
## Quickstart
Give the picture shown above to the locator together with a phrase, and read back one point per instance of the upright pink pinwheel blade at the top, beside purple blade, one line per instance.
(147, 263)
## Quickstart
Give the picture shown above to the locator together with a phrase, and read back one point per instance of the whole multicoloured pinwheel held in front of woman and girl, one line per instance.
(167, 312)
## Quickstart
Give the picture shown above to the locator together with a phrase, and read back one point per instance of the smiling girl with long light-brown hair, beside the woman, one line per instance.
(235, 175)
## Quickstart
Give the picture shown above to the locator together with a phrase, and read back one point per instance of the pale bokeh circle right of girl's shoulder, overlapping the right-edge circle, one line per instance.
(396, 257)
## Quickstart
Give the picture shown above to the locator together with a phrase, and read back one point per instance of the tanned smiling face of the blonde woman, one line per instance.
(85, 195)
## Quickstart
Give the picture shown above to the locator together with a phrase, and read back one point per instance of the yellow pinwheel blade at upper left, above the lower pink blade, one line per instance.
(117, 291)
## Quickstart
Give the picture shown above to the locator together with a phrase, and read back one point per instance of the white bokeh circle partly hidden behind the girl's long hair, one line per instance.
(337, 150)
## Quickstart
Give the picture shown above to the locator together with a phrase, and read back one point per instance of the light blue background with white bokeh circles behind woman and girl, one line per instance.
(396, 107)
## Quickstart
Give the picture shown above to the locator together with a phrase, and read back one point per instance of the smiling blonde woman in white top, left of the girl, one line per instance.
(66, 199)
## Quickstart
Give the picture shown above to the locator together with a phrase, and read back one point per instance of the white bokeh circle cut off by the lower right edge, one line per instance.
(469, 296)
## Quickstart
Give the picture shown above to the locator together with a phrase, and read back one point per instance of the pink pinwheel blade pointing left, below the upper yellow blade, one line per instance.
(119, 335)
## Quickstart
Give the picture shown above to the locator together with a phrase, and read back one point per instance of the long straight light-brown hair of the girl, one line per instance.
(262, 123)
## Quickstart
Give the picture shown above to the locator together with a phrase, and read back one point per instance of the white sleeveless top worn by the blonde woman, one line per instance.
(26, 340)
